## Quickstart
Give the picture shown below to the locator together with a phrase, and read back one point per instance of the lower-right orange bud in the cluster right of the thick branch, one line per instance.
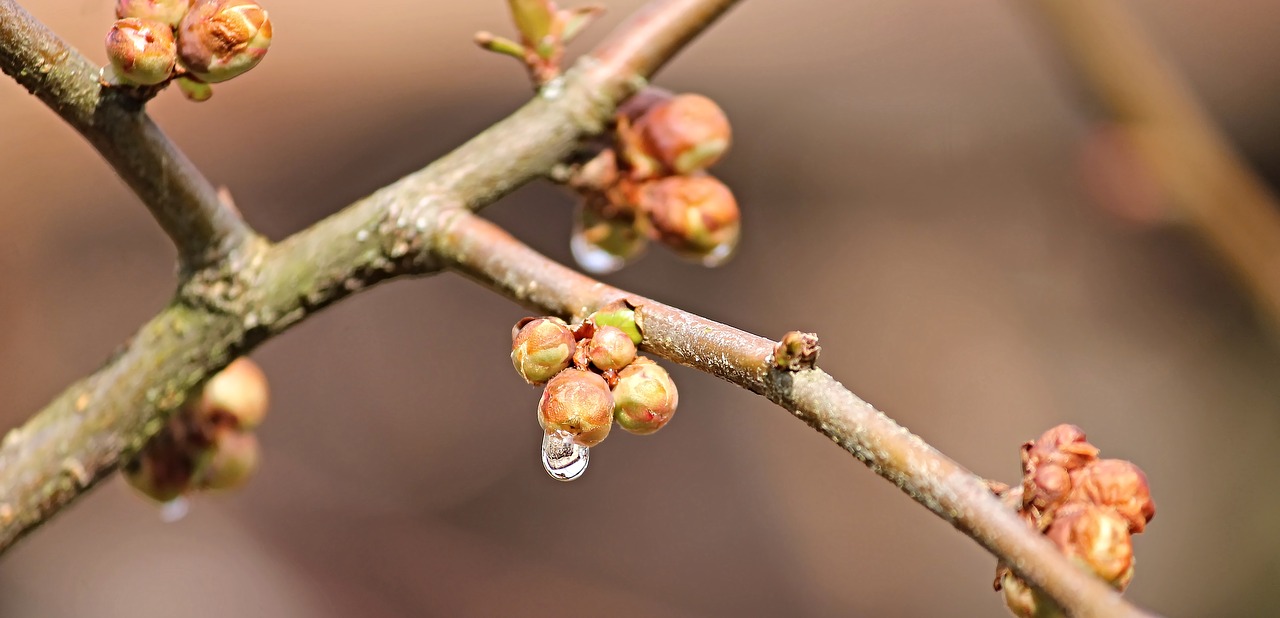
(697, 217)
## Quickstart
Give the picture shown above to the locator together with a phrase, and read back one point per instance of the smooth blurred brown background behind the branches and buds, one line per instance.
(932, 176)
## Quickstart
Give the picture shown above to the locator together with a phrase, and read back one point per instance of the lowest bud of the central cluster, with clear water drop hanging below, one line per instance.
(578, 402)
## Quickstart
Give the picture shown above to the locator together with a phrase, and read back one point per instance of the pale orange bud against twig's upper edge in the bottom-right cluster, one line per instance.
(1096, 538)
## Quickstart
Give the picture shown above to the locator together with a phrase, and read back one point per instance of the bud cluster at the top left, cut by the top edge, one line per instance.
(195, 43)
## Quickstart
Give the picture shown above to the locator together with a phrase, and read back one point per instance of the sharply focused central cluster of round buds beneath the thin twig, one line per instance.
(595, 377)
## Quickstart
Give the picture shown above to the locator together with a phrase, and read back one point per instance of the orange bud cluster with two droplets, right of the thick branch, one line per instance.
(652, 185)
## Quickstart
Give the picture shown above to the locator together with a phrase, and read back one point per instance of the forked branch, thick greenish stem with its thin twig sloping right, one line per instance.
(419, 225)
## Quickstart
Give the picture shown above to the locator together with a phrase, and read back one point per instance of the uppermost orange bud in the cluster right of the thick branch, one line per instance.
(683, 135)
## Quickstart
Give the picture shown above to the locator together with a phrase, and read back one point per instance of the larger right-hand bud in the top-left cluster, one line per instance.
(222, 39)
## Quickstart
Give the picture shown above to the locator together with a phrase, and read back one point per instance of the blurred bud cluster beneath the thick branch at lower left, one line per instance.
(209, 445)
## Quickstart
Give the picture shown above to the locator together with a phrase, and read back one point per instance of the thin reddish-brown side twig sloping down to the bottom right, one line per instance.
(487, 254)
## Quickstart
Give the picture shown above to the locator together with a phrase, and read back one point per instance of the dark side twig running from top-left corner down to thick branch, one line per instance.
(203, 227)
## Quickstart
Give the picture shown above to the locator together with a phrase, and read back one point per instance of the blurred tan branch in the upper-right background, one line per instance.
(1196, 171)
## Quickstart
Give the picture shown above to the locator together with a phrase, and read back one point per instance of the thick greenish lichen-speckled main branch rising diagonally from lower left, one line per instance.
(227, 310)
